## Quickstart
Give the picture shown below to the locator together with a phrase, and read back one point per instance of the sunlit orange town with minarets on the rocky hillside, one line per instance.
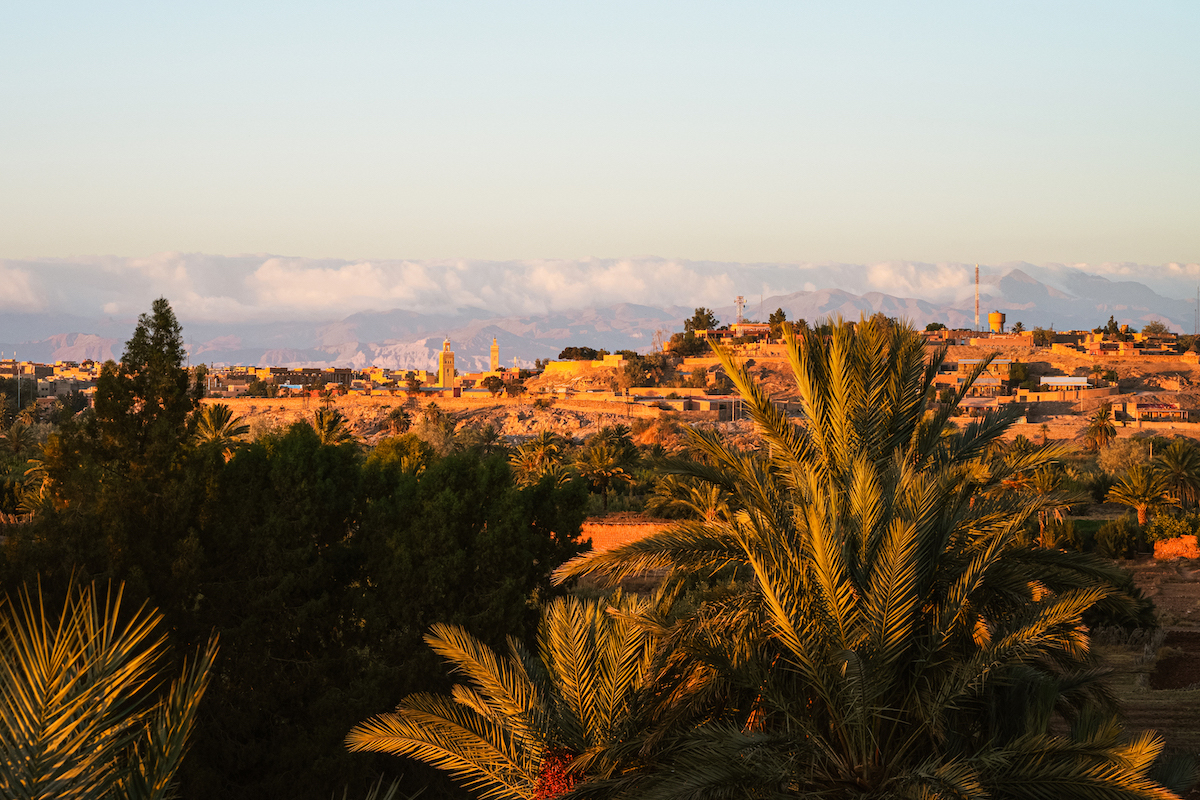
(1150, 378)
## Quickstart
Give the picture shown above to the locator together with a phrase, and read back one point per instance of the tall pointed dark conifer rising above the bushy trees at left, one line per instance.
(122, 496)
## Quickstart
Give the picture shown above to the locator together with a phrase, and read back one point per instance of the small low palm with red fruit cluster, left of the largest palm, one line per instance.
(521, 720)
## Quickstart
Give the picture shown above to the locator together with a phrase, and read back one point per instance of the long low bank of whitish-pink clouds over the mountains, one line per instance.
(248, 288)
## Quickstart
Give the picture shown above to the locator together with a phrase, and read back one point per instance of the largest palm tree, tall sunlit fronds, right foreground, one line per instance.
(895, 637)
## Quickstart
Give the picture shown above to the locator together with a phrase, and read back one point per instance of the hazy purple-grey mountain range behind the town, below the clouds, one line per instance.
(405, 339)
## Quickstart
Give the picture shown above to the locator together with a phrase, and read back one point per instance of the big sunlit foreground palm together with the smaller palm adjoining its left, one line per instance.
(867, 617)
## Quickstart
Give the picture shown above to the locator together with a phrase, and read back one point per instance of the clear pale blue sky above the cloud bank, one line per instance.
(740, 131)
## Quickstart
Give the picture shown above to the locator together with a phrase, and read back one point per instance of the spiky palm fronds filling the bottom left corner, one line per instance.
(82, 713)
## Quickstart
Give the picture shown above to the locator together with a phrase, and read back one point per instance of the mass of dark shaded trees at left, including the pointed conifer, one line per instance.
(317, 566)
